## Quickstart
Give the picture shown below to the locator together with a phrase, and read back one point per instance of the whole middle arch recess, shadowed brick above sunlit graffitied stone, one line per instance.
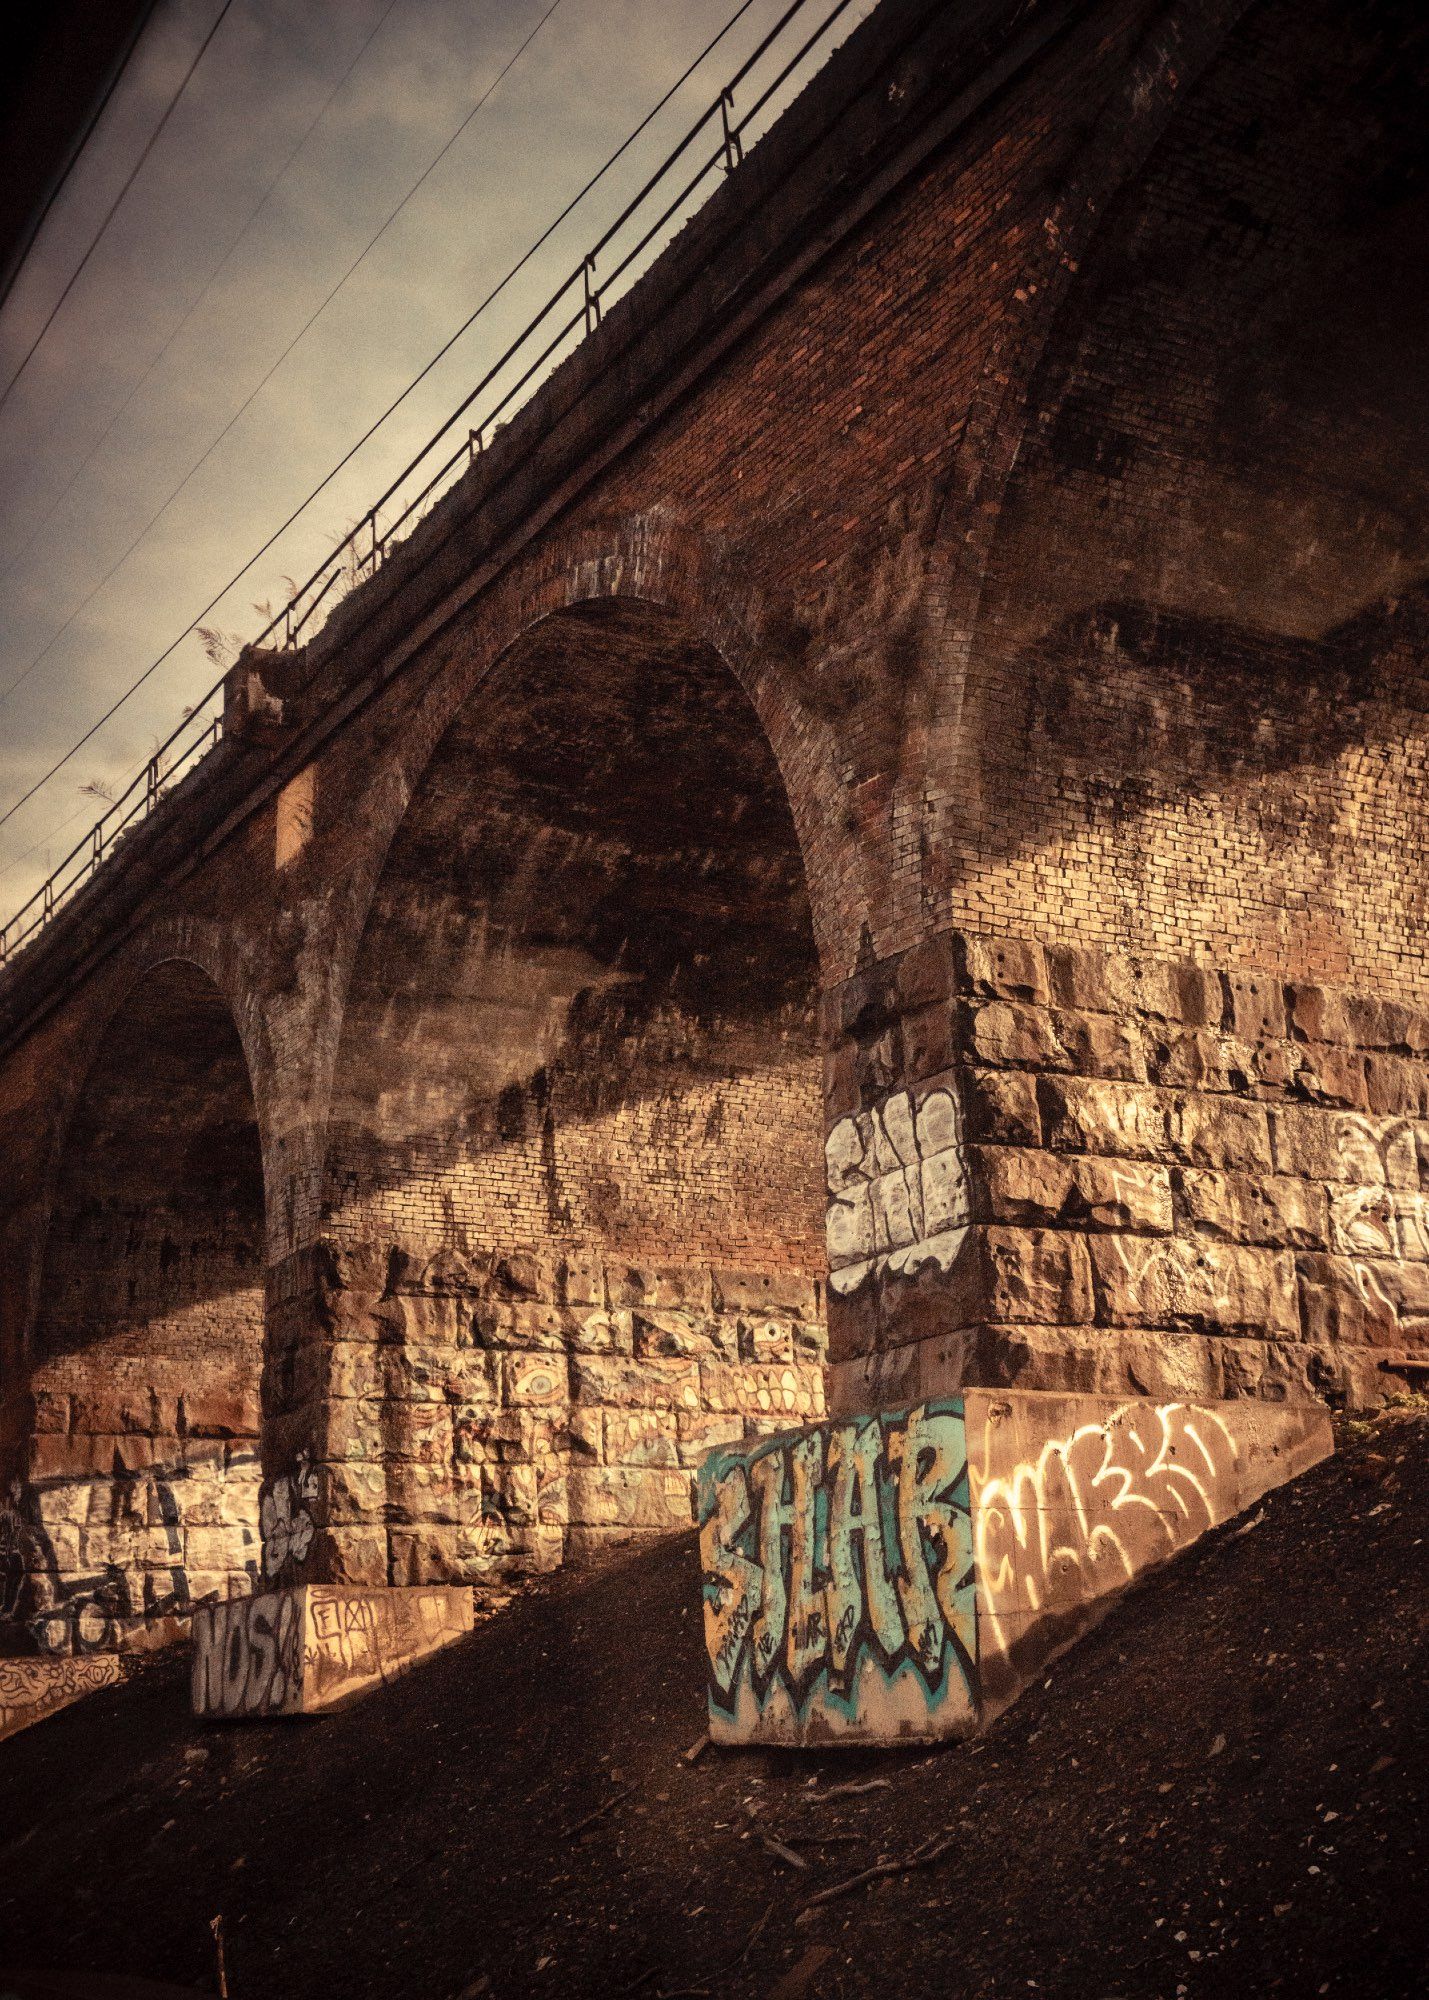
(573, 1197)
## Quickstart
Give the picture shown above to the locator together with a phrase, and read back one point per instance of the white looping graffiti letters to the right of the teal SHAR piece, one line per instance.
(1090, 1511)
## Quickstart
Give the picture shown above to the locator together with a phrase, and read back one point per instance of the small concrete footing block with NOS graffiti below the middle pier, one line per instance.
(295, 1653)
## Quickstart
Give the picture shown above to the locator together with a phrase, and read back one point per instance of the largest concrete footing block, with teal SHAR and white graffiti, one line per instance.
(904, 1577)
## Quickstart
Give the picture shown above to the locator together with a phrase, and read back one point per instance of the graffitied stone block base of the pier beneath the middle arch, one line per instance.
(465, 1417)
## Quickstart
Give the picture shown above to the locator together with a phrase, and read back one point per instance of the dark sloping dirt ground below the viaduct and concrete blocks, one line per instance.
(1220, 1793)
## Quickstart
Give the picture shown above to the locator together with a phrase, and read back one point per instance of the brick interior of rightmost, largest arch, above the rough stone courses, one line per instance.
(1218, 505)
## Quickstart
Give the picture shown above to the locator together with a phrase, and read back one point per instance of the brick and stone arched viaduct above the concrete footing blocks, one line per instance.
(874, 843)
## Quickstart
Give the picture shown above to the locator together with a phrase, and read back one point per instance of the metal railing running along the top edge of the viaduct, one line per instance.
(711, 149)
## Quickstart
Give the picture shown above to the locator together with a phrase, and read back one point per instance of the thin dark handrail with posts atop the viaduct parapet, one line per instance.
(201, 729)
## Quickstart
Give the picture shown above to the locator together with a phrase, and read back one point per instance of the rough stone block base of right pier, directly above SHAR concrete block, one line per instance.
(1124, 1175)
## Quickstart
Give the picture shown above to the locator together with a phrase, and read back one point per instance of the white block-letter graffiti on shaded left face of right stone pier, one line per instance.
(898, 1189)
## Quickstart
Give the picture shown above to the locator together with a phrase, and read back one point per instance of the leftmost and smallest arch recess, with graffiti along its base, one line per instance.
(145, 1351)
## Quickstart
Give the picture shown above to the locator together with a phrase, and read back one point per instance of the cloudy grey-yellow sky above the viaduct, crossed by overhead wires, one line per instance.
(145, 457)
